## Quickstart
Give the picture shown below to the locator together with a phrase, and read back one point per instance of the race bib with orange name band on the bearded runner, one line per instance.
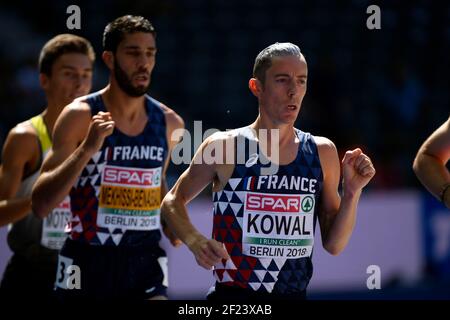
(130, 198)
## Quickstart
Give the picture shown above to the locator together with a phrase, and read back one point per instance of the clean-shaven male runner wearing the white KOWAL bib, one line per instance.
(264, 219)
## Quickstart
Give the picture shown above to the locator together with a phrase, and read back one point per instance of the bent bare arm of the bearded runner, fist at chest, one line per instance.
(71, 151)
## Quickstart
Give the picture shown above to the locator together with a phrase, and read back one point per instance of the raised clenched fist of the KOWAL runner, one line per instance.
(358, 170)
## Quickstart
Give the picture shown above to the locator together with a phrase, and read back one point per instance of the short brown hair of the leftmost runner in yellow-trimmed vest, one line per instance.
(61, 44)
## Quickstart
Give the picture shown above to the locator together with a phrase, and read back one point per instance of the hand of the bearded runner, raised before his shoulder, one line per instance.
(101, 126)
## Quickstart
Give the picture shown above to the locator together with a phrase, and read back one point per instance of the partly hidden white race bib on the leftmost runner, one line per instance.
(55, 227)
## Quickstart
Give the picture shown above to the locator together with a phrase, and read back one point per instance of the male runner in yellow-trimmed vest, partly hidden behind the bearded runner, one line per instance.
(65, 66)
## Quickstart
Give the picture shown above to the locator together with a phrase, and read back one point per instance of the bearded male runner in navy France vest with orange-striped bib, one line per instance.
(113, 161)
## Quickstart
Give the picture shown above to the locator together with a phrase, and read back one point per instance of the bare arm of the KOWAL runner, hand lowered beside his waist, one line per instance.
(207, 252)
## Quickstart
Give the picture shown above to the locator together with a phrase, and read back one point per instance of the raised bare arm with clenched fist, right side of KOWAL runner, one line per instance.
(338, 216)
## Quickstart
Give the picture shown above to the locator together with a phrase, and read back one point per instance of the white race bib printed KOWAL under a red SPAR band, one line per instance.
(278, 225)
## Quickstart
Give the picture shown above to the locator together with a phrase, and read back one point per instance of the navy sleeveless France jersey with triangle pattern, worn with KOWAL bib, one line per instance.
(267, 222)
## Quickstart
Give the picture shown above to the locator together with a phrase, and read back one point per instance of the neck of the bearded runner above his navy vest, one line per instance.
(121, 104)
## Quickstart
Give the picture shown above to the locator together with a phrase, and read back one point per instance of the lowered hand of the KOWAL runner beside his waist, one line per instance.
(208, 252)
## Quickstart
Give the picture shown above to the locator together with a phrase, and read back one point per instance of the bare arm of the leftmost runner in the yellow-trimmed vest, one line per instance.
(19, 149)
